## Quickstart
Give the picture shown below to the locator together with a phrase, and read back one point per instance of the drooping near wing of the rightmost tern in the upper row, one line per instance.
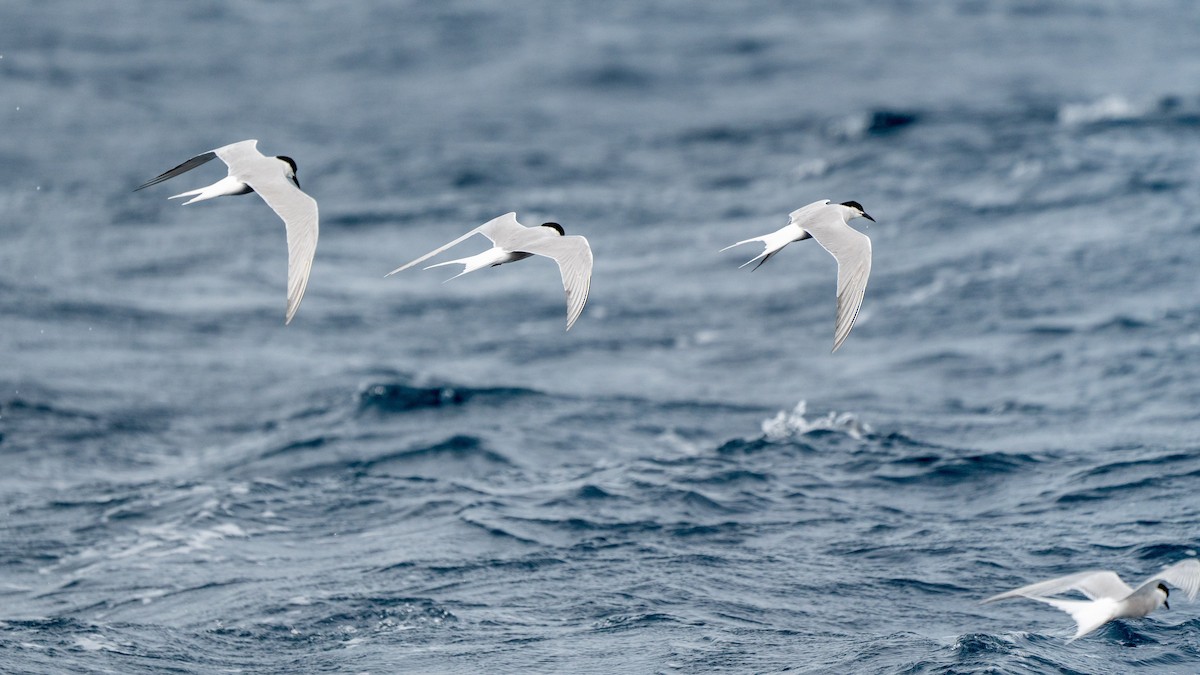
(853, 250)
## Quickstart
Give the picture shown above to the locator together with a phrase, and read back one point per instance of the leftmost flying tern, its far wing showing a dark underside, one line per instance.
(275, 181)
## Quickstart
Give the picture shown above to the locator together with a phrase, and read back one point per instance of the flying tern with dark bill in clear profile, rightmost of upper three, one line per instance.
(830, 225)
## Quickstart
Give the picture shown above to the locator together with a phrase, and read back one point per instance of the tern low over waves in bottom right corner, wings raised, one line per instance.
(1108, 596)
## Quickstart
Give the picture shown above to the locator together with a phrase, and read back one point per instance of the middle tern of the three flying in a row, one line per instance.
(514, 242)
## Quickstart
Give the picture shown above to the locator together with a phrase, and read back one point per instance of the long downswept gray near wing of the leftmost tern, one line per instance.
(299, 214)
